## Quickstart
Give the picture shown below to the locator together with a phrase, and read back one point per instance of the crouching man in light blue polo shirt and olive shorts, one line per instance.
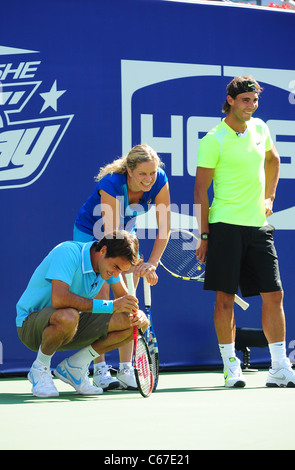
(58, 310)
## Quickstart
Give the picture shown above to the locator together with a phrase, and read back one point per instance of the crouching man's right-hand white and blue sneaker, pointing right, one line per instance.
(77, 377)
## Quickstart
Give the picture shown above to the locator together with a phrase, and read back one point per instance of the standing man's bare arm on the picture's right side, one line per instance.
(272, 171)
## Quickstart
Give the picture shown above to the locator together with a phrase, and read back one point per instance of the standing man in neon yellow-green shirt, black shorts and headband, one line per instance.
(236, 241)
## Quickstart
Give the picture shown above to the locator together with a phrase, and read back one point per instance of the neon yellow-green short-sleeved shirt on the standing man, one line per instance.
(239, 177)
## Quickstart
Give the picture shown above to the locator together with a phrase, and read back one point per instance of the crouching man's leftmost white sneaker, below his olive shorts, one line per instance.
(43, 386)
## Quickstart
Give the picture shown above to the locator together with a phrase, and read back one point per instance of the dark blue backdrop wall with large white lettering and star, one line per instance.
(81, 82)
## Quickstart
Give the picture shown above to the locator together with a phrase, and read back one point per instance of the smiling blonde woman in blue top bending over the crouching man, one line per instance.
(126, 188)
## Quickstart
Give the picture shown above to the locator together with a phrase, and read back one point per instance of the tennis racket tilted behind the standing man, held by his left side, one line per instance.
(179, 260)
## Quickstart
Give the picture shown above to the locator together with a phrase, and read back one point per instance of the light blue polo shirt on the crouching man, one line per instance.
(69, 262)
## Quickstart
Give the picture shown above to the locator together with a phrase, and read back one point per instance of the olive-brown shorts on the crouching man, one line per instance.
(91, 327)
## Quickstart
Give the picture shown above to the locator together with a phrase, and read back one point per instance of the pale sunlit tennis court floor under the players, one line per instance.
(189, 411)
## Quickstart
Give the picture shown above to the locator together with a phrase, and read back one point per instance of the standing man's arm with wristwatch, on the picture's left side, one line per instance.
(203, 181)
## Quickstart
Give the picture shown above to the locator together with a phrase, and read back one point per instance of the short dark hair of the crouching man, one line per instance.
(120, 243)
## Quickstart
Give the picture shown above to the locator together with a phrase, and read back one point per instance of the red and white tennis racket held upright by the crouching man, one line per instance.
(141, 359)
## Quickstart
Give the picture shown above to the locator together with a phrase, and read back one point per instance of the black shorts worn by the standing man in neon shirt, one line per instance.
(240, 256)
